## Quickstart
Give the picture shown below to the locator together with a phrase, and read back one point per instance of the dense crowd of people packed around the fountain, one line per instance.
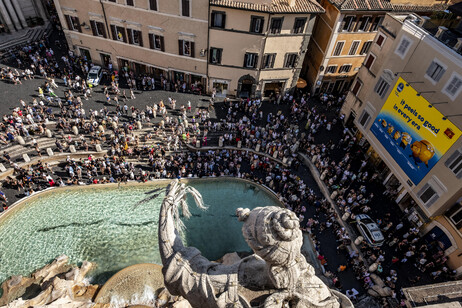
(266, 148)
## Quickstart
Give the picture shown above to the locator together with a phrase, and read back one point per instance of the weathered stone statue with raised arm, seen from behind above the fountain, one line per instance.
(277, 265)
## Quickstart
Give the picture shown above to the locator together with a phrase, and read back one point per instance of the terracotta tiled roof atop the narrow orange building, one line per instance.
(385, 5)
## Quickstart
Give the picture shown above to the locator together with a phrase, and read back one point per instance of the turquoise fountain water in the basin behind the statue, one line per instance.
(104, 226)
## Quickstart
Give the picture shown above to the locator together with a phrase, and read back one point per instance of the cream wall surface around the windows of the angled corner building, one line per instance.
(236, 40)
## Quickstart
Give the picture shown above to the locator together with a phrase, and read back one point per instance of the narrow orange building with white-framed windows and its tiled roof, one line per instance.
(343, 35)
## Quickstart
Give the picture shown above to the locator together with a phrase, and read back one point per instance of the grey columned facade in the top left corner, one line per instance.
(16, 15)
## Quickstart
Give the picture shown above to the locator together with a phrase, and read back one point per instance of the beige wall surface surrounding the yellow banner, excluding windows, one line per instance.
(412, 68)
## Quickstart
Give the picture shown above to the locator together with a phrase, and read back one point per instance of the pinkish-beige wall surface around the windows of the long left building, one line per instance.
(167, 21)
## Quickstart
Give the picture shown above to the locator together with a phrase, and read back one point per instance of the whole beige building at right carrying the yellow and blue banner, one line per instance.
(418, 66)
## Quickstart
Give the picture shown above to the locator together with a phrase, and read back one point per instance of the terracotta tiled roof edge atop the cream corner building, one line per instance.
(276, 6)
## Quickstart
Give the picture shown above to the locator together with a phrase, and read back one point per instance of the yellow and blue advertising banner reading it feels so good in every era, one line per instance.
(414, 132)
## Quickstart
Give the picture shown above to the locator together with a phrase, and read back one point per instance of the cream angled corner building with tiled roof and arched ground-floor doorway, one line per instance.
(257, 47)
